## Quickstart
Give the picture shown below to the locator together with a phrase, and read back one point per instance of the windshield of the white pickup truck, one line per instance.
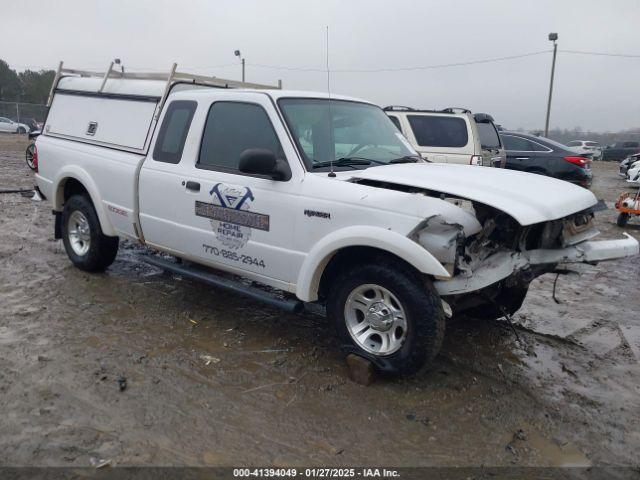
(356, 131)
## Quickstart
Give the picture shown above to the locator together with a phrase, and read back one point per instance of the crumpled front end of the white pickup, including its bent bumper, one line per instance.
(494, 261)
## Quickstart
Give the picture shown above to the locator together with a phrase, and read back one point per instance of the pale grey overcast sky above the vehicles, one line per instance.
(593, 92)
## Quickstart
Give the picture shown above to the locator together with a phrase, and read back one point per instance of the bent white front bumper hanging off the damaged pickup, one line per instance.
(505, 263)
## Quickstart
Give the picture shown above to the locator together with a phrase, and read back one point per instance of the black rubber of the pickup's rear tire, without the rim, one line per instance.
(101, 250)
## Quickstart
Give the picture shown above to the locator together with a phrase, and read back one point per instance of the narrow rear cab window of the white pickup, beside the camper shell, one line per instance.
(173, 131)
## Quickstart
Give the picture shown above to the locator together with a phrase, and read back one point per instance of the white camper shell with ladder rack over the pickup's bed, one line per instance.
(118, 110)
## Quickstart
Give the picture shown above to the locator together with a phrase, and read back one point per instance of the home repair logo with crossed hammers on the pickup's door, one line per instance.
(231, 218)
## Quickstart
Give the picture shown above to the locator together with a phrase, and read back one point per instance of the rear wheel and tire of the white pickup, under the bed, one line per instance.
(87, 247)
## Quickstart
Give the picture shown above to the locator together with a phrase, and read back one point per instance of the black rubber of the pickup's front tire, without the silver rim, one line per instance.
(425, 320)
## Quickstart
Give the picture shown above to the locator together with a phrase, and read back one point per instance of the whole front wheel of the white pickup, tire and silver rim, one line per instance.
(389, 315)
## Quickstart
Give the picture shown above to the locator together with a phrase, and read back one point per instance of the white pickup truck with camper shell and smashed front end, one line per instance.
(316, 198)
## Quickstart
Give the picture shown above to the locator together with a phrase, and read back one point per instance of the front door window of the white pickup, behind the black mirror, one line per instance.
(232, 128)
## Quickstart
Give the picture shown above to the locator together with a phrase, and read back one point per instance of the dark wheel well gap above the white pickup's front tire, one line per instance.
(349, 256)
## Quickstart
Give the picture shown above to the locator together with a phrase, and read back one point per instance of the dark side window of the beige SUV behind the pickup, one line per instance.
(436, 131)
